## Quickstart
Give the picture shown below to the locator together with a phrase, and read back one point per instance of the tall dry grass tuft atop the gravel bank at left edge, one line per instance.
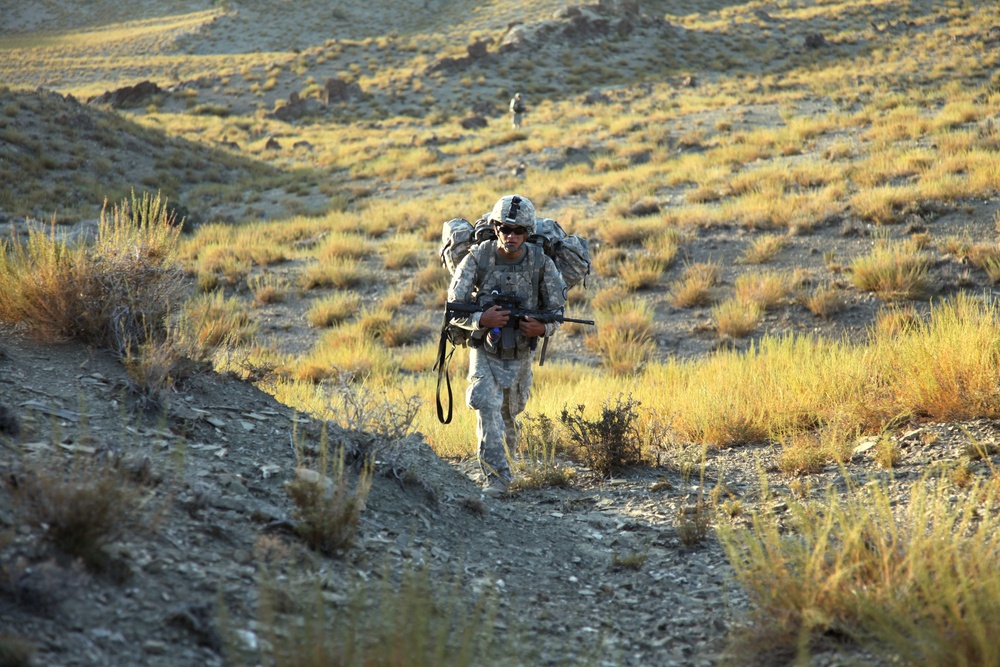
(116, 292)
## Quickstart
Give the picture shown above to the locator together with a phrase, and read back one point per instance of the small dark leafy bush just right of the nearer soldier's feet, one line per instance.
(609, 444)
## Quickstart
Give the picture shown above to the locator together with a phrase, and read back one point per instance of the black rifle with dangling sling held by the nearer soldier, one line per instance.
(504, 337)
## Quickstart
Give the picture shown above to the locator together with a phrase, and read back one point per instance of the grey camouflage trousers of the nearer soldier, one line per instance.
(498, 392)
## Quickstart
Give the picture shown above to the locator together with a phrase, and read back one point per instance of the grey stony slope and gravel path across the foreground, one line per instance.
(604, 573)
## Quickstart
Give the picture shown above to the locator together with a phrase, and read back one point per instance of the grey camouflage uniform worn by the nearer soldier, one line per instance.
(499, 388)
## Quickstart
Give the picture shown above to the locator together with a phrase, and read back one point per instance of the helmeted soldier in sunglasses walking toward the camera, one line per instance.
(500, 356)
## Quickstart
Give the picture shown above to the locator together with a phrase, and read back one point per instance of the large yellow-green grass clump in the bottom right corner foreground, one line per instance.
(860, 567)
